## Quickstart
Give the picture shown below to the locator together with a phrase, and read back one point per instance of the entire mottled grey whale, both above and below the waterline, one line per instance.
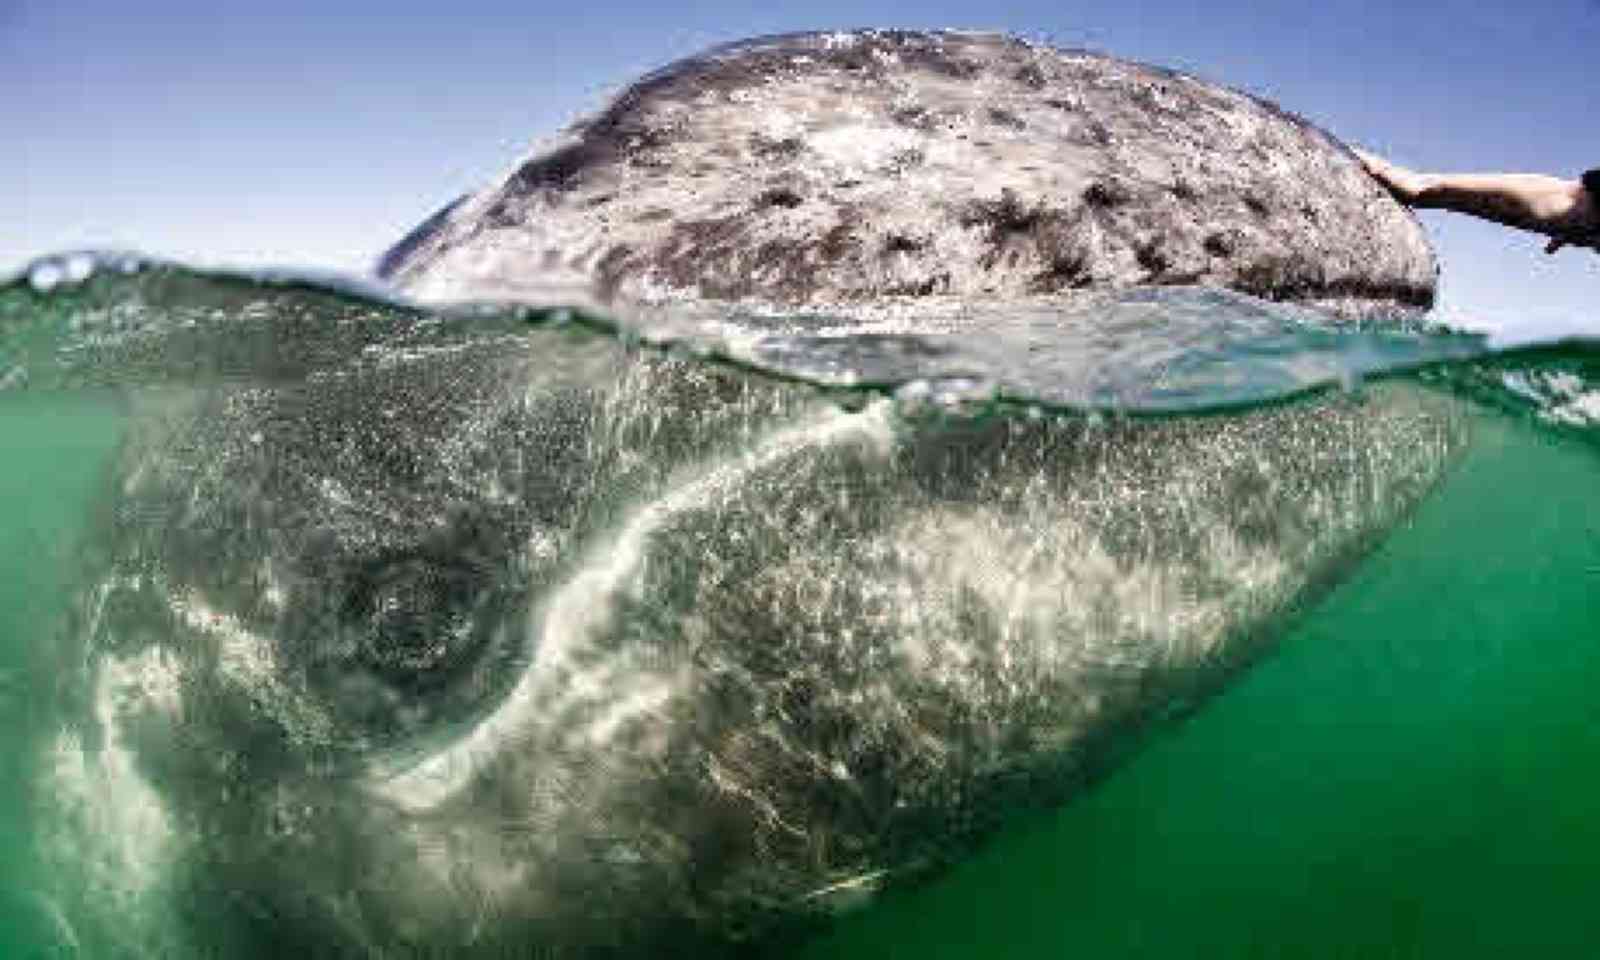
(425, 633)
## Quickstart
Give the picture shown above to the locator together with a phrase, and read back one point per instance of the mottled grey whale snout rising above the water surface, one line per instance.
(844, 169)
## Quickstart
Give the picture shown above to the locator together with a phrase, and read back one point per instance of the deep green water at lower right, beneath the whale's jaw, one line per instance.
(1415, 774)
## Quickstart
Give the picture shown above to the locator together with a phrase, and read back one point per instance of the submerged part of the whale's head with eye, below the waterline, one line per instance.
(410, 633)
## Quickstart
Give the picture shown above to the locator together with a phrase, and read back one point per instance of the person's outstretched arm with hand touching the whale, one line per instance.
(1559, 209)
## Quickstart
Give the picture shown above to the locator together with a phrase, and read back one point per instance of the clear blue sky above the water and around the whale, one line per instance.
(314, 134)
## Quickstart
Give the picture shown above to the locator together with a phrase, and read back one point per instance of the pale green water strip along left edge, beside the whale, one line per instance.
(57, 452)
